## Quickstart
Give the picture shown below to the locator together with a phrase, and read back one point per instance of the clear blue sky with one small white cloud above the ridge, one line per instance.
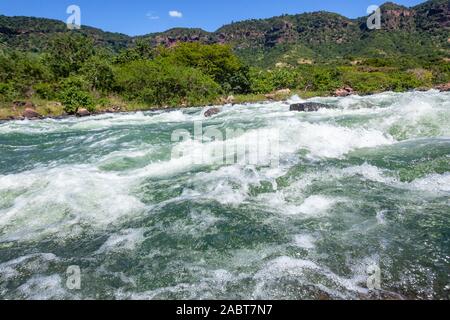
(137, 17)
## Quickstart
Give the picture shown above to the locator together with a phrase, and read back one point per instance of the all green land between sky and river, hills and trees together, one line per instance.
(310, 54)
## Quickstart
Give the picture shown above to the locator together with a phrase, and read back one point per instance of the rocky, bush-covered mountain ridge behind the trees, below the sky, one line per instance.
(289, 39)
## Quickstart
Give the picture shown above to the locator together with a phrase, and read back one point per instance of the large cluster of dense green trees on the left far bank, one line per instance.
(77, 74)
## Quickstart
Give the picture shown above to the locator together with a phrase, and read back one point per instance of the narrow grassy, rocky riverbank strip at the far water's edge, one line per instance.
(36, 108)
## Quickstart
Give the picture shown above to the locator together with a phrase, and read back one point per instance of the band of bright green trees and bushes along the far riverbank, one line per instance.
(73, 71)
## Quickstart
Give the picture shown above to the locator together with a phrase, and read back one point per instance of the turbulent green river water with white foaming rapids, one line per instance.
(358, 188)
